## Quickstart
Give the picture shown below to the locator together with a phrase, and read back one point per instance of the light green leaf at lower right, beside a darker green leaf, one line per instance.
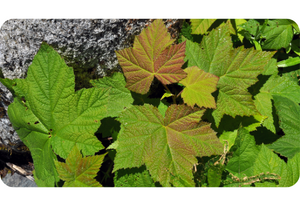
(269, 162)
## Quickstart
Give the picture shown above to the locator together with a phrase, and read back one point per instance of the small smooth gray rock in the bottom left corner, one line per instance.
(17, 180)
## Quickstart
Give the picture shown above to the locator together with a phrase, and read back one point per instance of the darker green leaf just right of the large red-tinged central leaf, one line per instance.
(242, 161)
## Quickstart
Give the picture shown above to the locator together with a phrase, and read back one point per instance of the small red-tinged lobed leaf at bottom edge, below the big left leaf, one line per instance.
(79, 171)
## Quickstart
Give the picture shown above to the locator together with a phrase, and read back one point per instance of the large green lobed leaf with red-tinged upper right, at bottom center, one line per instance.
(168, 146)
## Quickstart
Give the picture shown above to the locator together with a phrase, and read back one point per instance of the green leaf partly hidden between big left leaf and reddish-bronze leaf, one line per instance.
(119, 97)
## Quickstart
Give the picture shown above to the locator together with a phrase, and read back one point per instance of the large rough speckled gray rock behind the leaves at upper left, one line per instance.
(82, 42)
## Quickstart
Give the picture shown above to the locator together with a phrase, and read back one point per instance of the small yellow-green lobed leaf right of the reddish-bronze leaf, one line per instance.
(198, 88)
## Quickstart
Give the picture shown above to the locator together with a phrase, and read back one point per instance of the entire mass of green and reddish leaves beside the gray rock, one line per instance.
(217, 108)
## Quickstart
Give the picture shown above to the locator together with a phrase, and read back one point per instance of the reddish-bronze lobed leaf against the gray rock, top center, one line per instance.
(152, 56)
